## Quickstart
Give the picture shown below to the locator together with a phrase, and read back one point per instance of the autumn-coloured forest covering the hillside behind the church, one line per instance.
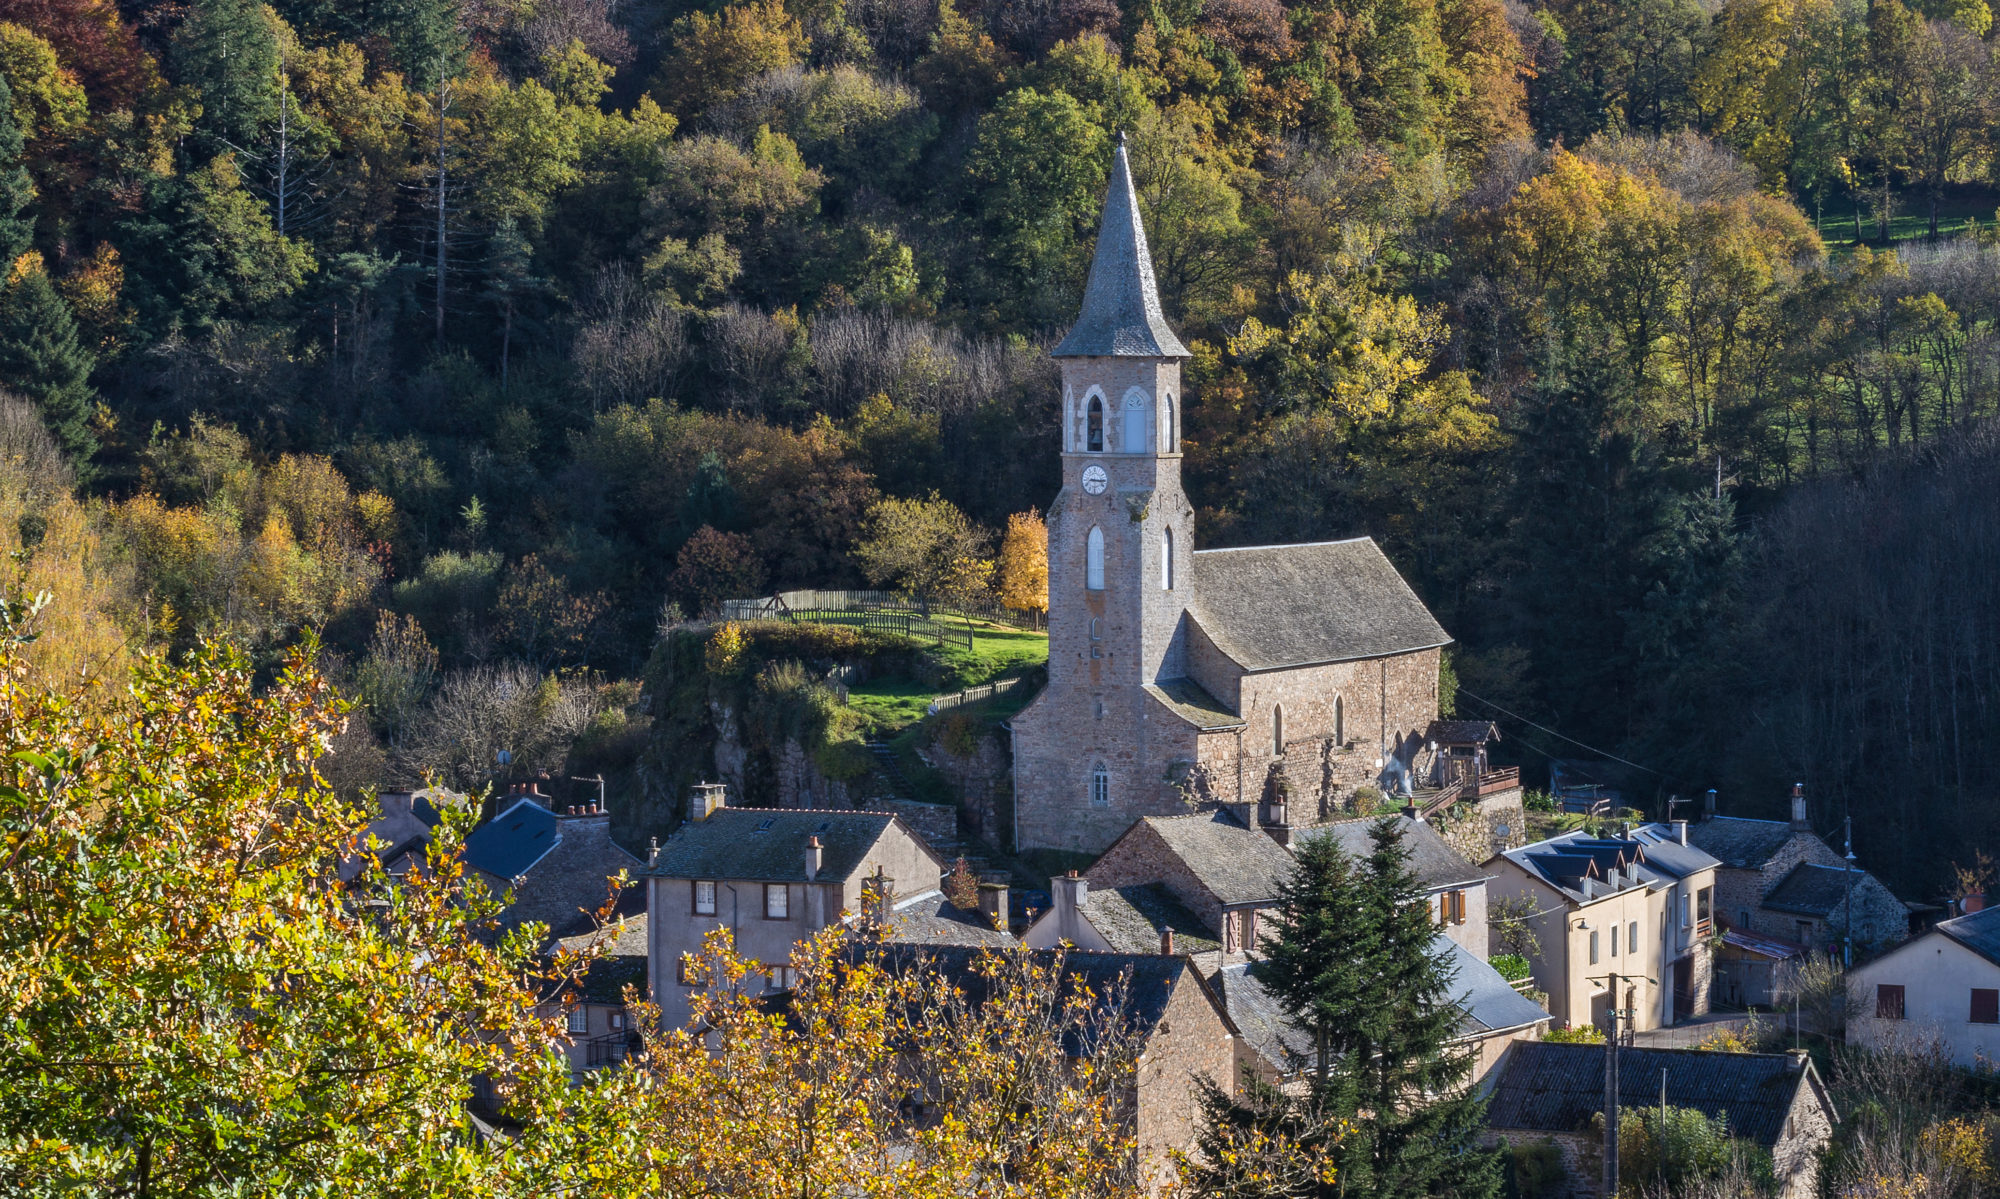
(483, 341)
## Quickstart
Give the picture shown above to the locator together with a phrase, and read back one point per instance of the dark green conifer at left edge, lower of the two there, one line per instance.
(43, 359)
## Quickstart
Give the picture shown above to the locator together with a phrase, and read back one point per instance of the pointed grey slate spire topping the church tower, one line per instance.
(1121, 315)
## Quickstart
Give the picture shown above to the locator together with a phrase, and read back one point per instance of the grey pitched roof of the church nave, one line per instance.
(1279, 606)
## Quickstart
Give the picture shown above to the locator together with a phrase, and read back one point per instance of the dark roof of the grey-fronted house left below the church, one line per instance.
(769, 844)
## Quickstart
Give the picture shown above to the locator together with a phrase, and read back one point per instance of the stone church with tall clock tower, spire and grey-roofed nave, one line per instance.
(1193, 678)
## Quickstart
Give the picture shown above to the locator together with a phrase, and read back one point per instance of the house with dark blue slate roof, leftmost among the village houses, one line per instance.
(557, 868)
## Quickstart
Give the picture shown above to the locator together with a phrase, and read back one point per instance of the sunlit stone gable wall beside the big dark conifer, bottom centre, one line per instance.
(1189, 1044)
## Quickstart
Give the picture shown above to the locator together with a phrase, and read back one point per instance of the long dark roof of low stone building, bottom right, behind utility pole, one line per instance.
(1557, 1088)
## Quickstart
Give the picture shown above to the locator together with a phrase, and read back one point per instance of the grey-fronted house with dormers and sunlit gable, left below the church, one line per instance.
(773, 878)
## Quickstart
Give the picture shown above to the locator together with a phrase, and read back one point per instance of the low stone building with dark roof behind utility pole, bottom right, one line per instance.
(1549, 1098)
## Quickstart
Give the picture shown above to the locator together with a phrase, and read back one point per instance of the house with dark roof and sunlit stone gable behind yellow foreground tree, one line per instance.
(1161, 1000)
